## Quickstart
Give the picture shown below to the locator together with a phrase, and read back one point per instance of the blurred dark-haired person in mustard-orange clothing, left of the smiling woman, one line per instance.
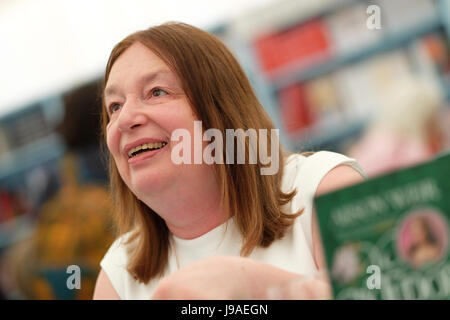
(73, 227)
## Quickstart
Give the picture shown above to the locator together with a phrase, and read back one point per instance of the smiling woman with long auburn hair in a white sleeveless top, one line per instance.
(199, 230)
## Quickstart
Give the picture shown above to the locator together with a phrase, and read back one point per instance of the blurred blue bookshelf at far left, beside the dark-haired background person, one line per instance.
(30, 148)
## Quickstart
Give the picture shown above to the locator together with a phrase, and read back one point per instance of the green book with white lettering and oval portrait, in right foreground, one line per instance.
(388, 237)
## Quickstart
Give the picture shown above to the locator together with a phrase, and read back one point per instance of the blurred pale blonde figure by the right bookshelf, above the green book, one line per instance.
(404, 131)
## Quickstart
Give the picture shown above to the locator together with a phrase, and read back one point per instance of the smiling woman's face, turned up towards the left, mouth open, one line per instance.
(146, 103)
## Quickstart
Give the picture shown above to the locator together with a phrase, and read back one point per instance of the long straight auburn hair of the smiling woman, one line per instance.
(222, 98)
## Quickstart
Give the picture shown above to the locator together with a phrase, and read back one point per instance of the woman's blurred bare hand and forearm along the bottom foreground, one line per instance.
(239, 278)
